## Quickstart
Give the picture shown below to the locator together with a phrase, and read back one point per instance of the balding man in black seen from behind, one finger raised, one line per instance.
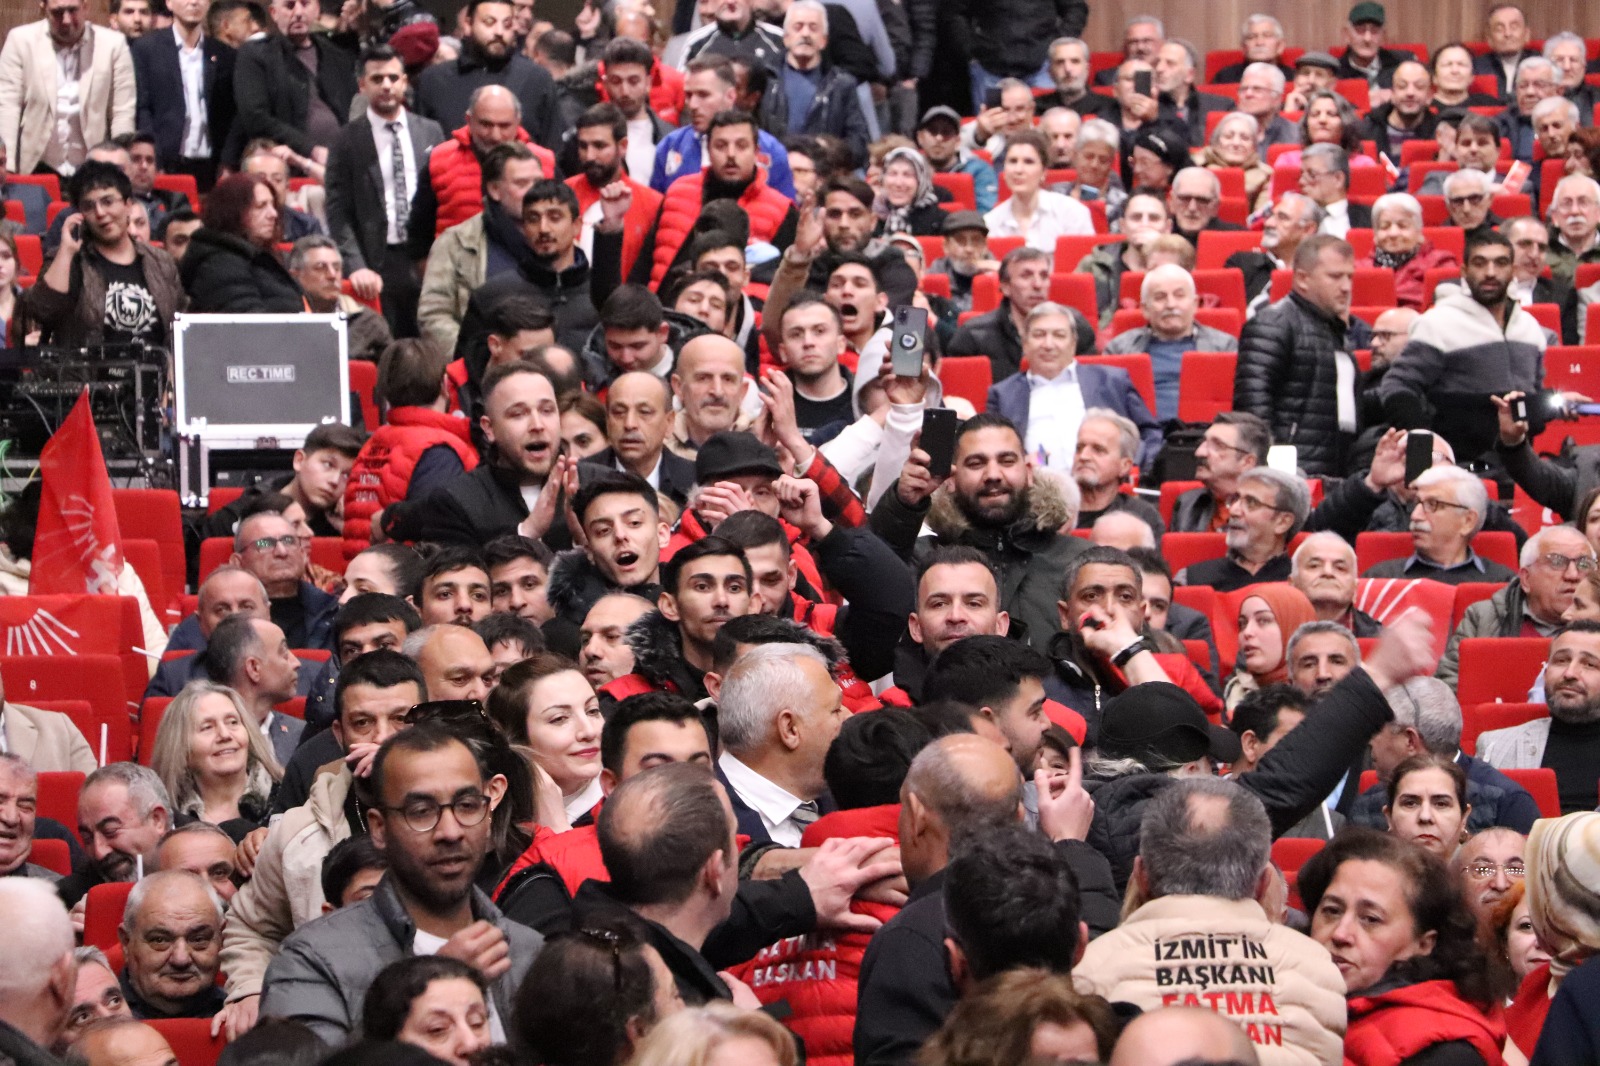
(959, 787)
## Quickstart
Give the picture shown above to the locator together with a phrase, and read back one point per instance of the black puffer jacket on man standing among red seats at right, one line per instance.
(1289, 377)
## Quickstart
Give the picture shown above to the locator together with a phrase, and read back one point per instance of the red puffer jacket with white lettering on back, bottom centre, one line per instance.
(818, 974)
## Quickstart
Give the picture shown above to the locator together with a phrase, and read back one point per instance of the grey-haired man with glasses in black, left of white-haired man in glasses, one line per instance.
(1266, 511)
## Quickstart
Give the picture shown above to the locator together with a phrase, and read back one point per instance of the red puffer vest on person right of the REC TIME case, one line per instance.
(383, 470)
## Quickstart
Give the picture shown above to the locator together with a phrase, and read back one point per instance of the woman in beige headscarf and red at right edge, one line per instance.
(1564, 902)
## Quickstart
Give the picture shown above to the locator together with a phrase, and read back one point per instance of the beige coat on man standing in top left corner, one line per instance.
(28, 92)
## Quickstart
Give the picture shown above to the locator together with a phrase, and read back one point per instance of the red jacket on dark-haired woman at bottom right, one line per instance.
(1390, 1028)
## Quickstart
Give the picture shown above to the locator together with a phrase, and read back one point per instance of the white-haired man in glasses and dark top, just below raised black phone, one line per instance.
(1449, 513)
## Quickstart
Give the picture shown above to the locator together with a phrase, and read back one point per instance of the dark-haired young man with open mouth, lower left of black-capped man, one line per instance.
(623, 543)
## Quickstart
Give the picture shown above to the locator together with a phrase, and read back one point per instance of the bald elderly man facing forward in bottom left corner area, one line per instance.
(172, 937)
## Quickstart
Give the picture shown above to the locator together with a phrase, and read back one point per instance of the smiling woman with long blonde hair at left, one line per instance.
(214, 761)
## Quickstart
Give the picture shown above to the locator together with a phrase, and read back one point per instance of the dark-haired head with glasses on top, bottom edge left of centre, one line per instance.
(591, 998)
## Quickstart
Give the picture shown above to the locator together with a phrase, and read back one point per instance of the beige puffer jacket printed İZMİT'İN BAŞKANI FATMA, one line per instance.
(1199, 952)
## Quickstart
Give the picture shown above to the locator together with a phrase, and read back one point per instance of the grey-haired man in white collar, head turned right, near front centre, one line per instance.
(778, 711)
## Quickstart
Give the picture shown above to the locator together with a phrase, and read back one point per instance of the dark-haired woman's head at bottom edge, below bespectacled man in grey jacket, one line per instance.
(433, 1003)
